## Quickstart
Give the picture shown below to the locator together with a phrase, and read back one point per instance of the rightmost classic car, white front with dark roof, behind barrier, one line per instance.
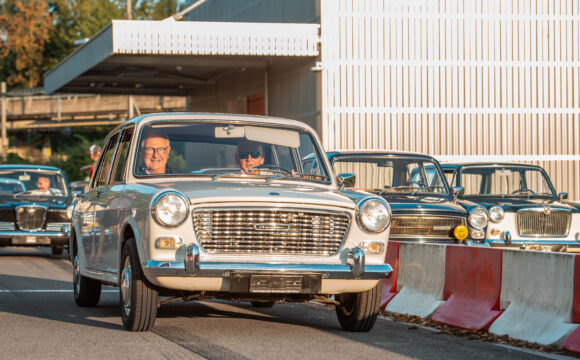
(524, 210)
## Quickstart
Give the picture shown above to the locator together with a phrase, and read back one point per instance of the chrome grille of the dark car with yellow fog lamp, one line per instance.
(414, 226)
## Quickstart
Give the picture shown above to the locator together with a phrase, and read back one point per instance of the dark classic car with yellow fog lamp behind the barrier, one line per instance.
(424, 207)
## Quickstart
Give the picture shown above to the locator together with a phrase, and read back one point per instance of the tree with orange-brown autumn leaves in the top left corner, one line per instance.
(25, 27)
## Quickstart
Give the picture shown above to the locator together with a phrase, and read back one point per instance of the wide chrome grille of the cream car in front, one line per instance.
(267, 231)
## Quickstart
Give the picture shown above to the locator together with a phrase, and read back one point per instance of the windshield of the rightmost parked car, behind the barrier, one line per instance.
(505, 181)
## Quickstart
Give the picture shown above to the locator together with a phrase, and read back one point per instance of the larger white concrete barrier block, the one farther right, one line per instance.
(536, 293)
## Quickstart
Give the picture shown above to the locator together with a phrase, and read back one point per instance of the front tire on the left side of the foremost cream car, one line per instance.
(138, 298)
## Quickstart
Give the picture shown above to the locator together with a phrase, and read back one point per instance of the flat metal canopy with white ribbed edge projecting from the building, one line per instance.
(174, 58)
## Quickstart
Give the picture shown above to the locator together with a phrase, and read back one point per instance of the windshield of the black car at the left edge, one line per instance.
(32, 183)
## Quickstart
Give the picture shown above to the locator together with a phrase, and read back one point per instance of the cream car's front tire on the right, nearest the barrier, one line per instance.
(359, 311)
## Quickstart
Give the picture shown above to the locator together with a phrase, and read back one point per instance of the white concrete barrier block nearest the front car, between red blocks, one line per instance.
(420, 279)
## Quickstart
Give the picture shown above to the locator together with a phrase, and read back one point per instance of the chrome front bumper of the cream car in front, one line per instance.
(215, 269)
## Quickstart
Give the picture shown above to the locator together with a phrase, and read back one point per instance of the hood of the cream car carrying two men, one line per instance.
(225, 191)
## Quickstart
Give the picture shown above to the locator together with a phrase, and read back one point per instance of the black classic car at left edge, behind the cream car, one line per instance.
(35, 207)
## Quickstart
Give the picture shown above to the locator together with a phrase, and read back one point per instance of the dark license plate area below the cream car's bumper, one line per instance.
(275, 283)
